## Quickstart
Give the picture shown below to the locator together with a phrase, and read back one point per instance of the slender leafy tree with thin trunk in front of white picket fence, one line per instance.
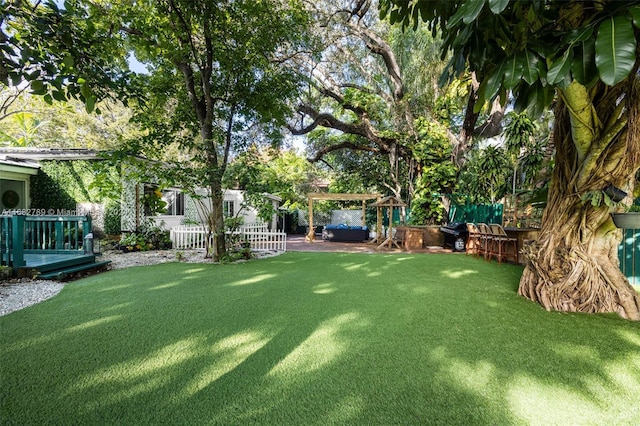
(218, 80)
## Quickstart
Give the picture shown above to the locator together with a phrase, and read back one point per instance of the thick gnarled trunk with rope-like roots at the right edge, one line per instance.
(573, 266)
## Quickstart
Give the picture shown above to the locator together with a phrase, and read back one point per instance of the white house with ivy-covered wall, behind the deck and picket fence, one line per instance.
(51, 181)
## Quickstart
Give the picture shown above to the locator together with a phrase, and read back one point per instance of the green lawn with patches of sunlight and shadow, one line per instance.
(314, 338)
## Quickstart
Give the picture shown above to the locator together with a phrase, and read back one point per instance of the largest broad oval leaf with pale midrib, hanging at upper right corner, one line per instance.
(615, 49)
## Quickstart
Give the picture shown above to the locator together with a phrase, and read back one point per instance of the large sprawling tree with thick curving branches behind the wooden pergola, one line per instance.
(369, 95)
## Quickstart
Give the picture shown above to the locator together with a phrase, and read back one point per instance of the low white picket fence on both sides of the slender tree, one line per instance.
(260, 238)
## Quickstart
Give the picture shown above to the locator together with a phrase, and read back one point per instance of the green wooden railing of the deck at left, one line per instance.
(20, 235)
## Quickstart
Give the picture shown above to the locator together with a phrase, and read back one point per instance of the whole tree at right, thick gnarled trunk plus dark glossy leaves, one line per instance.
(583, 54)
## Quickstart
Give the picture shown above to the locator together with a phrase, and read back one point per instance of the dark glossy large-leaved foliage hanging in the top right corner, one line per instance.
(588, 43)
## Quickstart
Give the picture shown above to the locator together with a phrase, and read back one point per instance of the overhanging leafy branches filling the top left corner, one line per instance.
(64, 52)
